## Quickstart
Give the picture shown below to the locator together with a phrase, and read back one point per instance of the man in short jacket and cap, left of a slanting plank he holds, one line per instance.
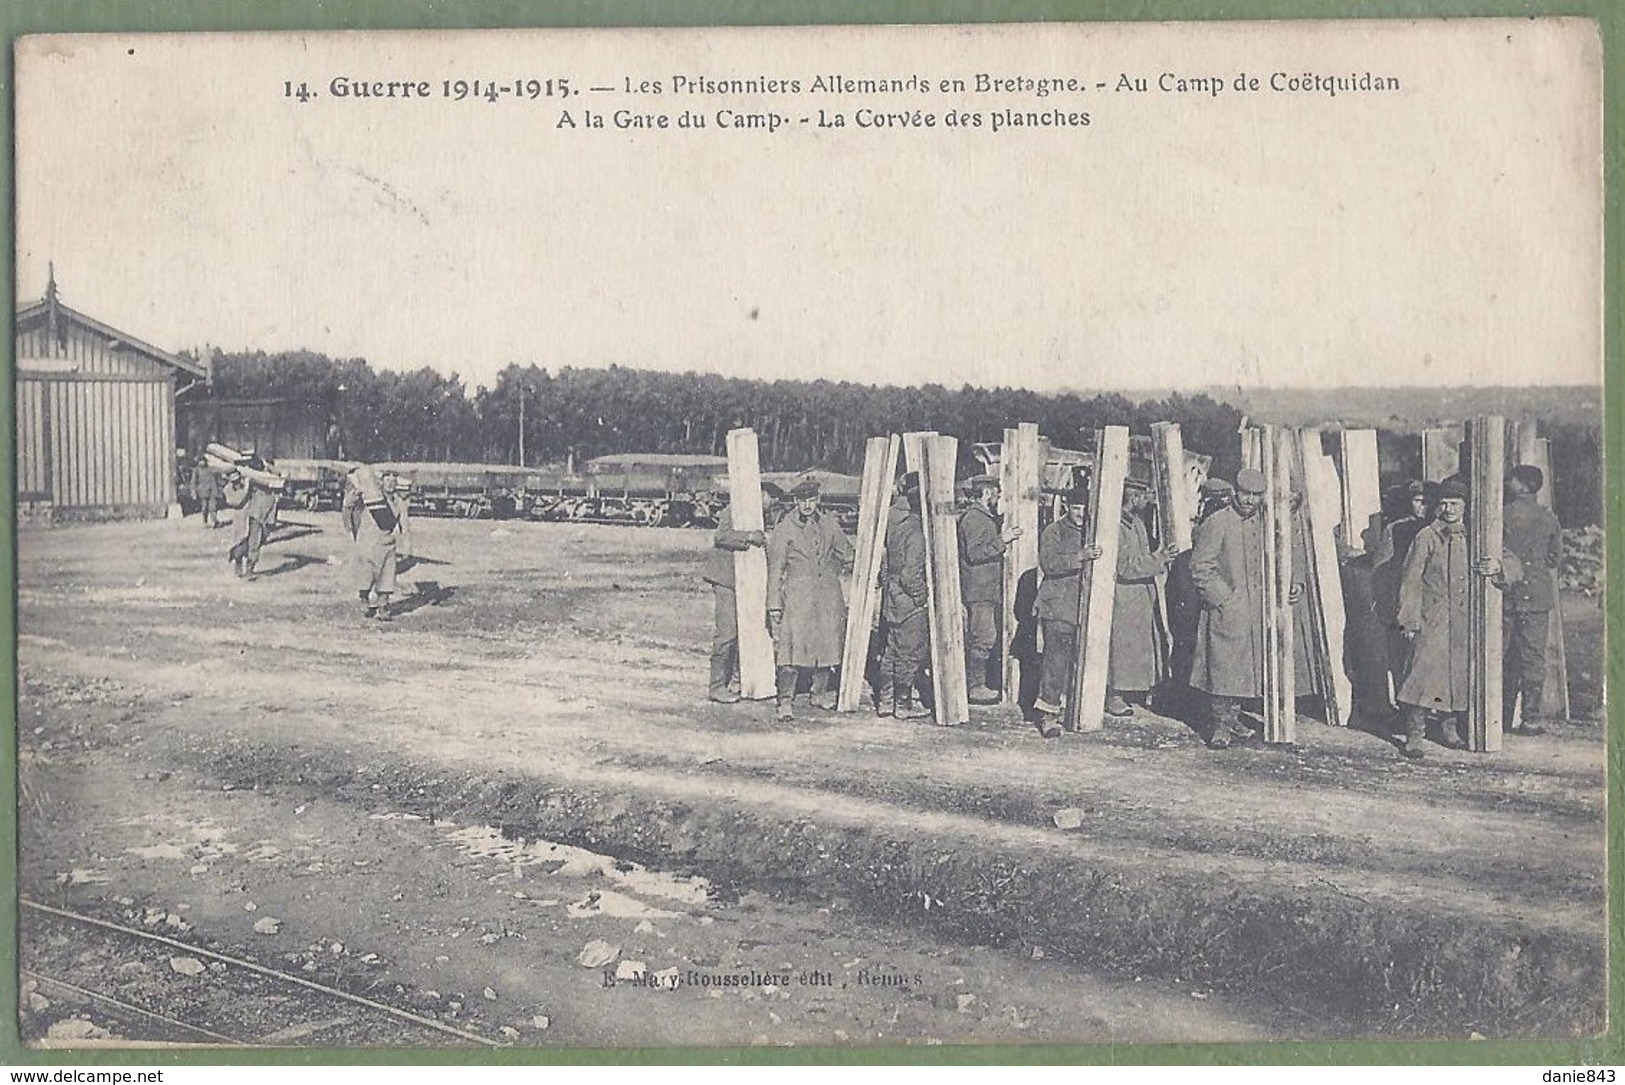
(1064, 555)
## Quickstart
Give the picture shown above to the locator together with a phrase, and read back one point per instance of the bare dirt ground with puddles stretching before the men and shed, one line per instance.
(466, 797)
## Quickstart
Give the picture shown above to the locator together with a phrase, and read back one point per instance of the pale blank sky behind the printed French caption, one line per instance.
(1442, 233)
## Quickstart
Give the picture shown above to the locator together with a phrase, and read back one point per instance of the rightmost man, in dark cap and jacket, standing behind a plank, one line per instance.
(1533, 534)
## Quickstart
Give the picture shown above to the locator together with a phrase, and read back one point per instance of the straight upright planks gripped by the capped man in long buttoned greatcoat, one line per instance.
(1275, 447)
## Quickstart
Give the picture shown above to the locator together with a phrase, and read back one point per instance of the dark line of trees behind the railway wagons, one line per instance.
(596, 412)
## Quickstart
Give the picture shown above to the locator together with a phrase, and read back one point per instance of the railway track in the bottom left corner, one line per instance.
(139, 987)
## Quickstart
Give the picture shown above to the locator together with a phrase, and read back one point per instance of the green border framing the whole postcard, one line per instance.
(27, 17)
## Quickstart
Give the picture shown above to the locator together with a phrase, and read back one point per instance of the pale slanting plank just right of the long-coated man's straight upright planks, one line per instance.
(1319, 517)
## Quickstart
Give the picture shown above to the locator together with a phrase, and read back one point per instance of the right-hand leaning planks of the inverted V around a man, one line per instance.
(935, 459)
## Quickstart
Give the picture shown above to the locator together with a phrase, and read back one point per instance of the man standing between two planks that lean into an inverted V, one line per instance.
(904, 600)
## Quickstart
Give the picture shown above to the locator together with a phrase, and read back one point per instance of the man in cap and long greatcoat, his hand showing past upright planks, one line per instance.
(1228, 568)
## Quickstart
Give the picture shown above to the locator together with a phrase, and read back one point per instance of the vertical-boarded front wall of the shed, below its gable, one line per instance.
(97, 444)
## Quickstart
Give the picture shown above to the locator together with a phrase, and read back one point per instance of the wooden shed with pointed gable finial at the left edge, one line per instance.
(95, 417)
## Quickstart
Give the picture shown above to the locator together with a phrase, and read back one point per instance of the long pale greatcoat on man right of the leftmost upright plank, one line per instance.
(805, 566)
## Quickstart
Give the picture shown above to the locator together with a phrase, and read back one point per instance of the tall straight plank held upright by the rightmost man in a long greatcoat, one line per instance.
(1488, 465)
